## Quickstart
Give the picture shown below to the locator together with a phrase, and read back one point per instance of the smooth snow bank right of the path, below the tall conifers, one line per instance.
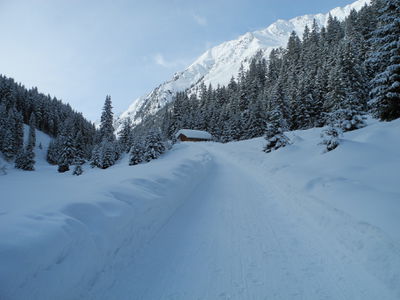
(360, 176)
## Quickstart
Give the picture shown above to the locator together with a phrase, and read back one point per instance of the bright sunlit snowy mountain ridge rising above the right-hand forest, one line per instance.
(219, 64)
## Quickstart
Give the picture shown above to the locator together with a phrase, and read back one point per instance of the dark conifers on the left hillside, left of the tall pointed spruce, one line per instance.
(19, 106)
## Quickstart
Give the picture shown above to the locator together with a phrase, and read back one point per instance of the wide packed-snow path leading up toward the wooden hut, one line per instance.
(240, 236)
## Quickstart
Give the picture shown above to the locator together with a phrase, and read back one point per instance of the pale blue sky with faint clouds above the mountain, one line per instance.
(81, 51)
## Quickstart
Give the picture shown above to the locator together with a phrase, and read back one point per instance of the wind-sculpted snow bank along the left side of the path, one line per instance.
(59, 233)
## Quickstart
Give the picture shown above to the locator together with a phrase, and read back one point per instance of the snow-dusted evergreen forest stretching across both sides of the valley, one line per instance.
(331, 76)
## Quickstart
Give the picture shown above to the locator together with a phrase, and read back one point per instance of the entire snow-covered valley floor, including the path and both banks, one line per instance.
(211, 221)
